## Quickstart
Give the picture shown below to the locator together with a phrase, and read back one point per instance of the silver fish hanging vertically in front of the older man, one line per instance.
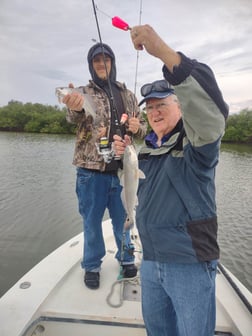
(129, 177)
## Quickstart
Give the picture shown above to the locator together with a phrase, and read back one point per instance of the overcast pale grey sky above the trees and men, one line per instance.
(44, 43)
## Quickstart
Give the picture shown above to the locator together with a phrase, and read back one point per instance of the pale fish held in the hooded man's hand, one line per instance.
(88, 104)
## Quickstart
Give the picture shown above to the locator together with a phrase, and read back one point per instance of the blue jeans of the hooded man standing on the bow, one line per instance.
(97, 191)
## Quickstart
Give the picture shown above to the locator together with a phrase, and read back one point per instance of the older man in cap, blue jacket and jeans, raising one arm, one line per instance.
(176, 216)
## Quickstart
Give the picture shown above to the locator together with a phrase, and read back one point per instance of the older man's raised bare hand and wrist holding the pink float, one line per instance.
(145, 36)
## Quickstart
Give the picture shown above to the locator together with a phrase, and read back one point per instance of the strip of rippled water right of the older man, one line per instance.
(234, 195)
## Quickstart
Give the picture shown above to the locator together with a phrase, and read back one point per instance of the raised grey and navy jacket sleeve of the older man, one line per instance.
(203, 109)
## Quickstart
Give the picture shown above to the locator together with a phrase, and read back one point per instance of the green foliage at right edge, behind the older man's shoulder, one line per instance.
(239, 127)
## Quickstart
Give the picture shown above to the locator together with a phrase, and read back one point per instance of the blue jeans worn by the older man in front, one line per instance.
(178, 299)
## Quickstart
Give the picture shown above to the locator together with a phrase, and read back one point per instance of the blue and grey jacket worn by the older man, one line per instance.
(176, 216)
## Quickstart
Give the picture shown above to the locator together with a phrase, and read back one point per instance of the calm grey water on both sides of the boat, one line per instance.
(38, 207)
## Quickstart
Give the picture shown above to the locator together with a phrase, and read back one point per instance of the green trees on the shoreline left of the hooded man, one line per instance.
(38, 118)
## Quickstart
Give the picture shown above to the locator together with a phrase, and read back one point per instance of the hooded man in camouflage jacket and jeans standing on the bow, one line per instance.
(97, 184)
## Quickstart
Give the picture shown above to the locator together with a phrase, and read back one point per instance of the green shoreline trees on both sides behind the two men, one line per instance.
(39, 118)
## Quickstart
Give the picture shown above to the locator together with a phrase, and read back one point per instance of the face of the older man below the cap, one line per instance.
(163, 114)
